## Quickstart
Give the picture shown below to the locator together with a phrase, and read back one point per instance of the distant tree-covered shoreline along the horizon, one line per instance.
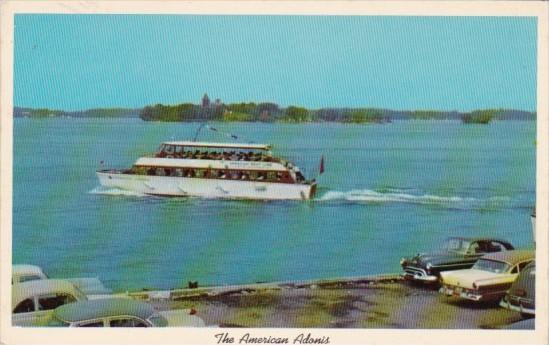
(270, 112)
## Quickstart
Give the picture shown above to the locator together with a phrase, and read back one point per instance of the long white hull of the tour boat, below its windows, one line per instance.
(207, 188)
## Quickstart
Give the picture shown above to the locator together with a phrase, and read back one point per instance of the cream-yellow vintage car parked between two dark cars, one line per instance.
(489, 278)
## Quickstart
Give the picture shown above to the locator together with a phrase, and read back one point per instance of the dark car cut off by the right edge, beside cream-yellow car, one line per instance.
(521, 296)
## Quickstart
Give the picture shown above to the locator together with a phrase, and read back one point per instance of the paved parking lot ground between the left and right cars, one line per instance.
(393, 304)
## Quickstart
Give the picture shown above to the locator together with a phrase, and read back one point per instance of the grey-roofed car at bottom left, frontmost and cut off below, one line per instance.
(121, 312)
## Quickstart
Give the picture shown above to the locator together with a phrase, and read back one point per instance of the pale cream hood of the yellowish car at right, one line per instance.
(466, 278)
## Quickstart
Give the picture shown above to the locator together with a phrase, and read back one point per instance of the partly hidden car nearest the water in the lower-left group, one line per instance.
(92, 287)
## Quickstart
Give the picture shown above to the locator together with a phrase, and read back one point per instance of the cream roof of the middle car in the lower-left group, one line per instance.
(22, 291)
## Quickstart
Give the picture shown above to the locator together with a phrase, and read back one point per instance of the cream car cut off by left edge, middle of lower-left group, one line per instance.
(32, 302)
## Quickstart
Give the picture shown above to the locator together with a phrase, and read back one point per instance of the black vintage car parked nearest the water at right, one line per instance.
(456, 253)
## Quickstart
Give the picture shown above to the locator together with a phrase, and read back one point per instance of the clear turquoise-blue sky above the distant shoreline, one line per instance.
(77, 62)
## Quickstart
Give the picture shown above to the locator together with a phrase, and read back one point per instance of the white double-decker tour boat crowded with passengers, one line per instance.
(213, 170)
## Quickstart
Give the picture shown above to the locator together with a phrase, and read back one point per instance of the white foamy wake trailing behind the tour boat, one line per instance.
(396, 196)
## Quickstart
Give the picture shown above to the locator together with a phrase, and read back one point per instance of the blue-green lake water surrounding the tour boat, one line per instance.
(388, 191)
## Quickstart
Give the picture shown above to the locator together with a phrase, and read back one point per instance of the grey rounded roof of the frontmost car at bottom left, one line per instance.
(100, 308)
